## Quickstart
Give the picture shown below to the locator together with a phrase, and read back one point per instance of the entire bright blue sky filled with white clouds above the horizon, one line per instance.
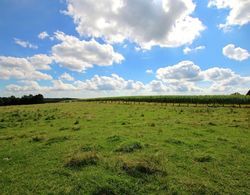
(86, 48)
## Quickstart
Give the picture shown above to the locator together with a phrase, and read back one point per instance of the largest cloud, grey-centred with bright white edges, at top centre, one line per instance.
(165, 23)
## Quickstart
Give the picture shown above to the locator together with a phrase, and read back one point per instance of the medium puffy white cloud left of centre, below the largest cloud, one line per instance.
(80, 55)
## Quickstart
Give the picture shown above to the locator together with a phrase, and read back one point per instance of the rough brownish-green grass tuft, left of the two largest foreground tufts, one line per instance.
(80, 160)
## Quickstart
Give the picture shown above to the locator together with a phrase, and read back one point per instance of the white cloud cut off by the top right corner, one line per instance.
(239, 13)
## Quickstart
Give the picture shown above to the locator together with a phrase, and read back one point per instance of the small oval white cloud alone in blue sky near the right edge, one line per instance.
(235, 53)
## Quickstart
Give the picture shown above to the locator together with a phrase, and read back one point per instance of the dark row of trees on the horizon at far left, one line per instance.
(26, 99)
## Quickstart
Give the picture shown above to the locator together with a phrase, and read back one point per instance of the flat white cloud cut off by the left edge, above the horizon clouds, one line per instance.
(24, 68)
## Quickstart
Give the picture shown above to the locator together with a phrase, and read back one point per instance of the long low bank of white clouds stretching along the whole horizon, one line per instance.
(175, 79)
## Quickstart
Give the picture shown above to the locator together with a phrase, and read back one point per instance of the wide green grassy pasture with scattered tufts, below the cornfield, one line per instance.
(95, 148)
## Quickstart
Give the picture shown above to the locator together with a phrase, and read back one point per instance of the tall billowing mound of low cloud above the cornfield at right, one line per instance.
(185, 76)
